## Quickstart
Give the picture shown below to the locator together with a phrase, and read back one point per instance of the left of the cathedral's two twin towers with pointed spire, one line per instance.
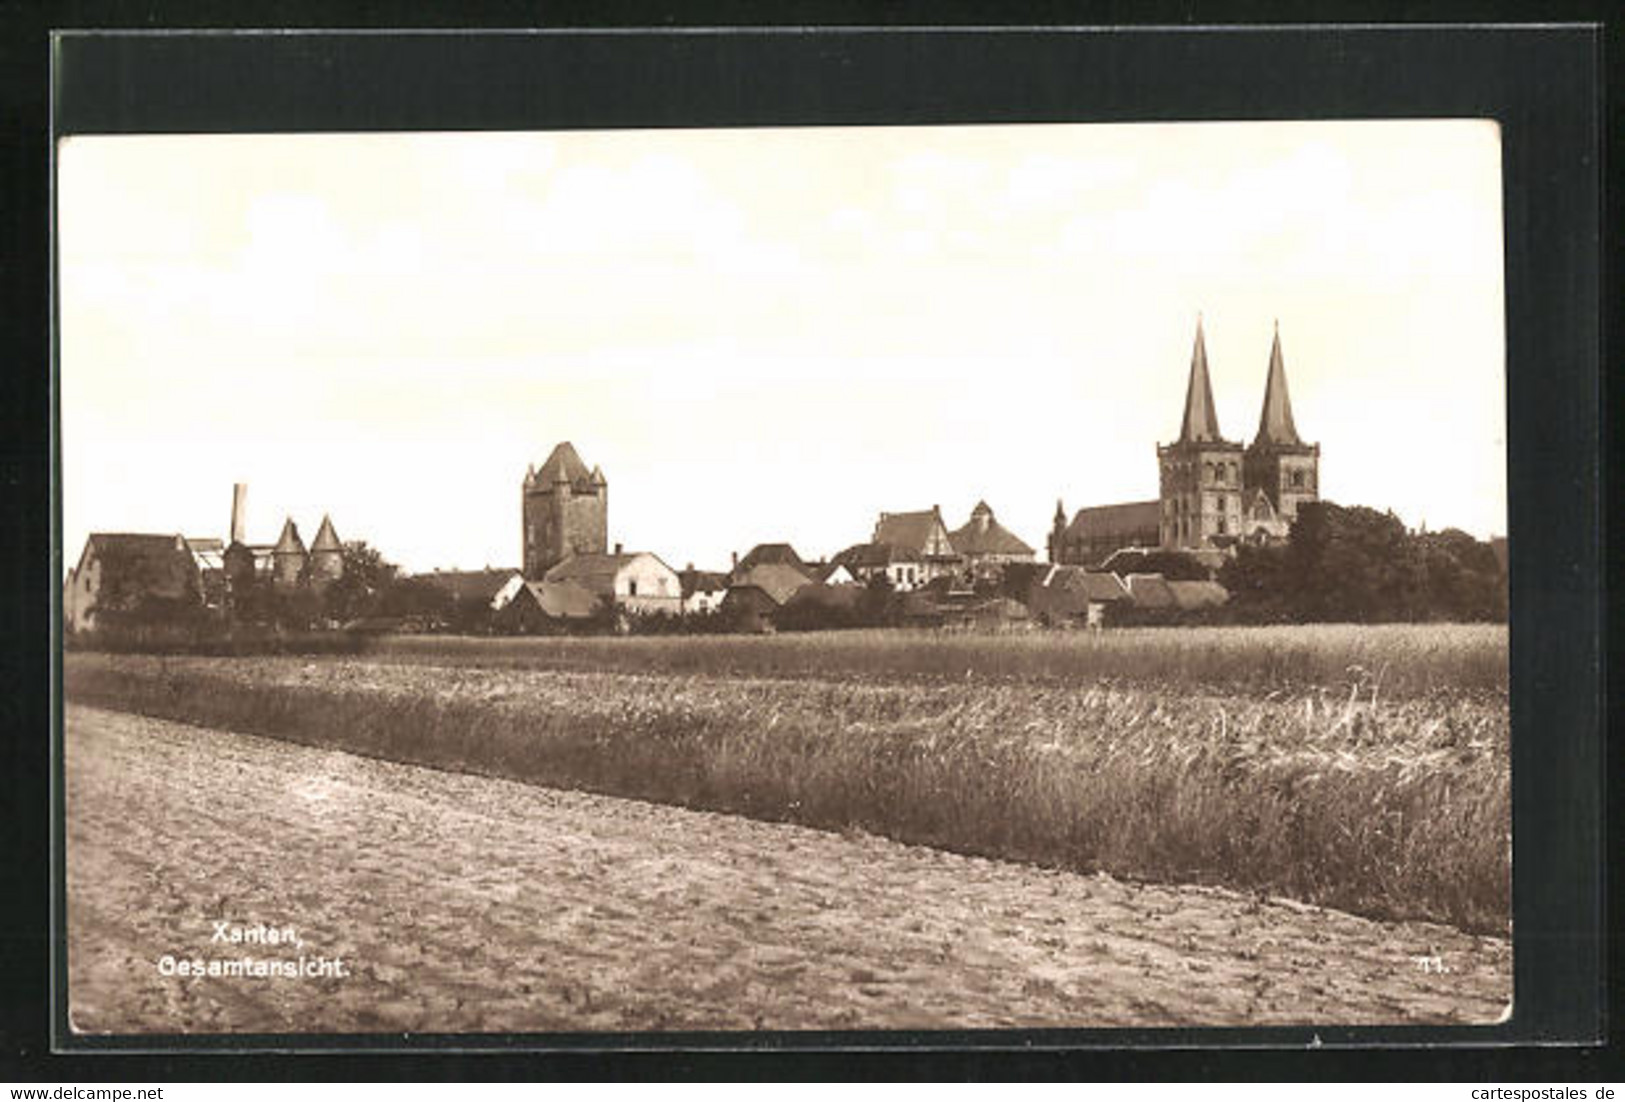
(1202, 472)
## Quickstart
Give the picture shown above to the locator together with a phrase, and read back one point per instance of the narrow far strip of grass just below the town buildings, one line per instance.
(1402, 659)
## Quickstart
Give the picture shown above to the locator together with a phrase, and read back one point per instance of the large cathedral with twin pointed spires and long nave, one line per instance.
(1215, 493)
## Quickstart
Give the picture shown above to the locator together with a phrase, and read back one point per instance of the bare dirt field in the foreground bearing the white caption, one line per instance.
(472, 905)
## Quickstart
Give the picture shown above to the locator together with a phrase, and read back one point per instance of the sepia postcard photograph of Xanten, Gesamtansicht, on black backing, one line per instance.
(781, 579)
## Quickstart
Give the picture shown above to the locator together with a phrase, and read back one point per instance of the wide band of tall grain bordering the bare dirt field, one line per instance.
(1382, 805)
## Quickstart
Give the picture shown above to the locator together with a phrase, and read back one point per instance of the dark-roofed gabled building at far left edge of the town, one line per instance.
(129, 573)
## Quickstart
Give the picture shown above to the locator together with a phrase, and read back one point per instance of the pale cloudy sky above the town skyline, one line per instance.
(765, 334)
